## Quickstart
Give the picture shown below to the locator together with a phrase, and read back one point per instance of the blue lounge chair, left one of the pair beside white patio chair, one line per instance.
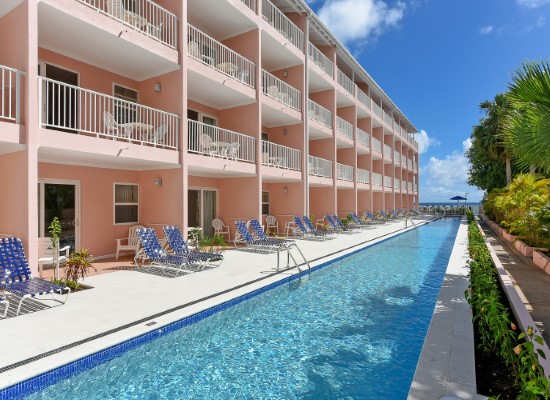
(157, 255)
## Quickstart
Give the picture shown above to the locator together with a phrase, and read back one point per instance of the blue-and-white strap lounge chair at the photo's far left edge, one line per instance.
(16, 276)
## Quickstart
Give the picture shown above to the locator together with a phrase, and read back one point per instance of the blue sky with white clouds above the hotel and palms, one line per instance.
(438, 60)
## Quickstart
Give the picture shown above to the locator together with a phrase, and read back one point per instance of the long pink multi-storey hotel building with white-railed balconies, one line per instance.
(115, 112)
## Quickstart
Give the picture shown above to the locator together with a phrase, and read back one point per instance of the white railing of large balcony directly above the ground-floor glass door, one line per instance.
(81, 111)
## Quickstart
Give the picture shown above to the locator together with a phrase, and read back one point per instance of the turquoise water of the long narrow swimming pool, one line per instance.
(353, 330)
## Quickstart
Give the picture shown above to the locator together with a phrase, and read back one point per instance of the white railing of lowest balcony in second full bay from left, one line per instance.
(217, 142)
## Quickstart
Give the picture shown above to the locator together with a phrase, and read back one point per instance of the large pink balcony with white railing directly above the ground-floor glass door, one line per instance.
(75, 118)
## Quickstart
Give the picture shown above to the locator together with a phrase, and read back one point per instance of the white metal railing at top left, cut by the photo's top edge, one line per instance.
(144, 16)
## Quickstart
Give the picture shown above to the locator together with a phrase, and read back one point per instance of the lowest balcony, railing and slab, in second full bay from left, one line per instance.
(229, 153)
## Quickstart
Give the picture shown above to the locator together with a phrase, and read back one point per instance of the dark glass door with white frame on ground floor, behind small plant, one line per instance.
(57, 198)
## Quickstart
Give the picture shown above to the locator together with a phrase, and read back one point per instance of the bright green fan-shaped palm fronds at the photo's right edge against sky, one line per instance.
(528, 125)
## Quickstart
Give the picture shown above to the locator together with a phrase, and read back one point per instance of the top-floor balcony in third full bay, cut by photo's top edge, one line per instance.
(282, 40)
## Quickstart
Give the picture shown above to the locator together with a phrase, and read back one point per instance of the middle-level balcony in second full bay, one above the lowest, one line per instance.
(218, 76)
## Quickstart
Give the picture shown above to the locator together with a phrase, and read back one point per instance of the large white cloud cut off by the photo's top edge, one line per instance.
(360, 20)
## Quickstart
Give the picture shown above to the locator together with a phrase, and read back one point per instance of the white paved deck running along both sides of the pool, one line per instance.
(122, 303)
